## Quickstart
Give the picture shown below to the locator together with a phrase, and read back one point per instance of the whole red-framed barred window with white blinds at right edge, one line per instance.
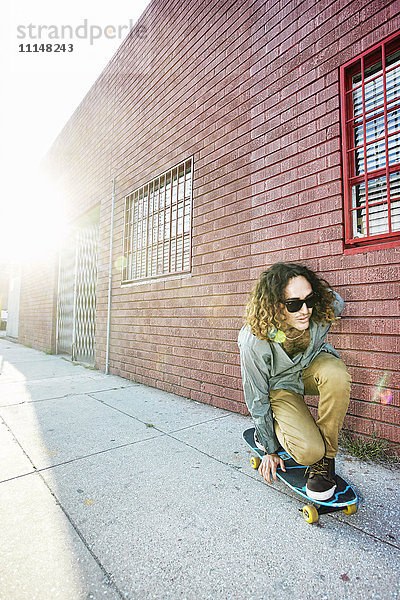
(370, 105)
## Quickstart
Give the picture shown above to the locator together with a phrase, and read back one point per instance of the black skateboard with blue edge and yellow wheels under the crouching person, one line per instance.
(295, 477)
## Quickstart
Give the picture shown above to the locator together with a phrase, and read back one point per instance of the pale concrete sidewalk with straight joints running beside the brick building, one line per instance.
(110, 490)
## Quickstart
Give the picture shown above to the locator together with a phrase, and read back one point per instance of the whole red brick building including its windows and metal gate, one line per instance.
(222, 137)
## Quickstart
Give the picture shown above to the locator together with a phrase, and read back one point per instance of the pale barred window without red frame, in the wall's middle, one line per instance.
(157, 232)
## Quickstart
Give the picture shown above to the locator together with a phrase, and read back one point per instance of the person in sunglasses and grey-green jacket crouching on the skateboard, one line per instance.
(284, 355)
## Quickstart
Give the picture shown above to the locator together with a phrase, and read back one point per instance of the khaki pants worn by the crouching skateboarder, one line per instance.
(306, 440)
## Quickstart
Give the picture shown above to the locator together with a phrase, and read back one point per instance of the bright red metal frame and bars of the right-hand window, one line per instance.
(362, 66)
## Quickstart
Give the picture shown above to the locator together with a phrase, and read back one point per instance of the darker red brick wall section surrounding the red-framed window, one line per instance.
(299, 112)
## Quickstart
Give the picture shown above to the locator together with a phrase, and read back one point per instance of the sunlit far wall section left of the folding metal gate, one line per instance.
(38, 305)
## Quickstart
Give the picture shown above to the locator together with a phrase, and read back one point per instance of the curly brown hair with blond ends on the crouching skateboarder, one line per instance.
(265, 303)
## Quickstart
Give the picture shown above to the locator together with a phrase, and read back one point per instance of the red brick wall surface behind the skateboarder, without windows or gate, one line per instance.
(250, 89)
